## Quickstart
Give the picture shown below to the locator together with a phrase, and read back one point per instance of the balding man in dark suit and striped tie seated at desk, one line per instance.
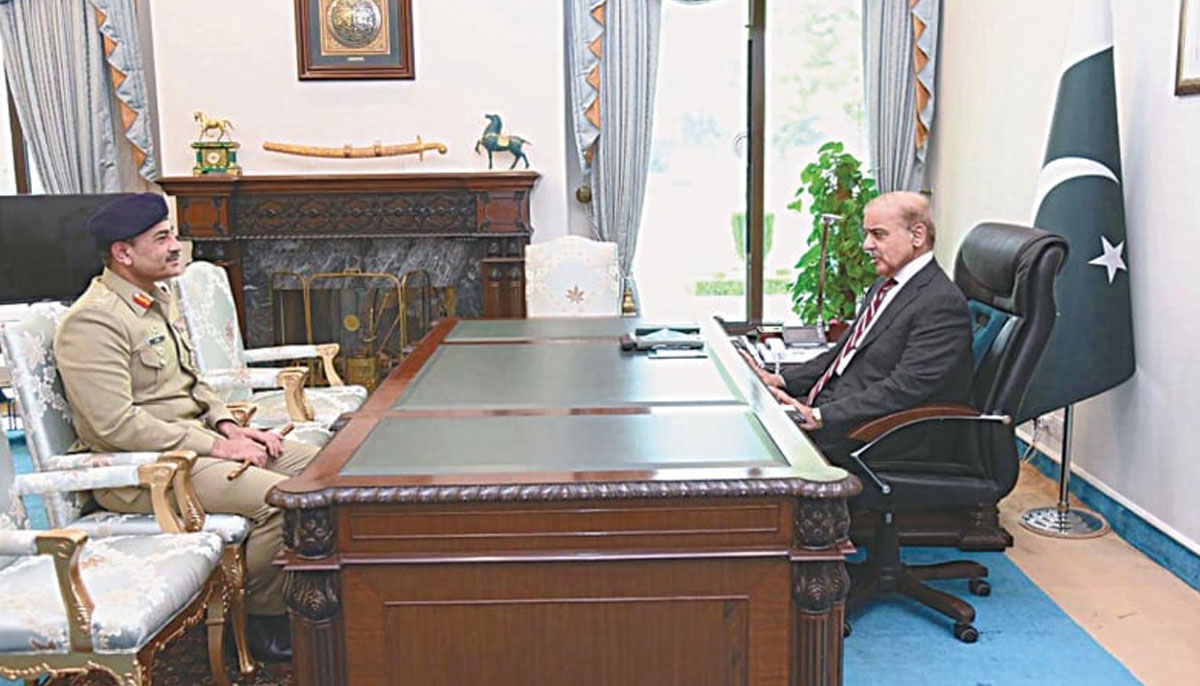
(910, 346)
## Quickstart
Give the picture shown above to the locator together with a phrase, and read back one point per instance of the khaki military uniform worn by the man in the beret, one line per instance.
(127, 366)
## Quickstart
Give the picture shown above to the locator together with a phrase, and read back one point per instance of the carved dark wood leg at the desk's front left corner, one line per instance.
(314, 600)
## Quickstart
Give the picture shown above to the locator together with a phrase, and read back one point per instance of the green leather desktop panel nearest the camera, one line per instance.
(681, 440)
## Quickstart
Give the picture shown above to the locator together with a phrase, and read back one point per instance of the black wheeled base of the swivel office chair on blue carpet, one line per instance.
(884, 573)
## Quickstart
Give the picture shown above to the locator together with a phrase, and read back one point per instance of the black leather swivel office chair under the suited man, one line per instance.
(1010, 270)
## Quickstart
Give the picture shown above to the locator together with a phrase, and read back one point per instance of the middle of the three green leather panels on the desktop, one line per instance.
(580, 375)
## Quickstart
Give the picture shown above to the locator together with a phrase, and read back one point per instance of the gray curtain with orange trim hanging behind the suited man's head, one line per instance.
(899, 97)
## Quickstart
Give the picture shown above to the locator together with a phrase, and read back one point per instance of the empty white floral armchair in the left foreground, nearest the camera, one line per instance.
(73, 605)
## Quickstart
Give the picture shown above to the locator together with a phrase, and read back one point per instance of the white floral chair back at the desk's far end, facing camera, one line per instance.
(573, 276)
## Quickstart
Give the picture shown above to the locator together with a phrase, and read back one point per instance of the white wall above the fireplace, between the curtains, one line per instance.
(238, 61)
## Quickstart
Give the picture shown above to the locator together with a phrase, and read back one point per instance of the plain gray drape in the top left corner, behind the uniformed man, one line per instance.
(56, 65)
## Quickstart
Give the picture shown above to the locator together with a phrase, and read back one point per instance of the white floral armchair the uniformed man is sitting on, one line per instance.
(64, 480)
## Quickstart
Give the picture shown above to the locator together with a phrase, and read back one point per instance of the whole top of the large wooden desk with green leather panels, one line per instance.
(560, 404)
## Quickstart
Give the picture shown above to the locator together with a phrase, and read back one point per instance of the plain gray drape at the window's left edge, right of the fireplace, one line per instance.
(628, 74)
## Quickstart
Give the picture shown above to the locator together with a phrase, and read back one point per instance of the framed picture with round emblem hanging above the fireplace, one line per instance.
(355, 39)
